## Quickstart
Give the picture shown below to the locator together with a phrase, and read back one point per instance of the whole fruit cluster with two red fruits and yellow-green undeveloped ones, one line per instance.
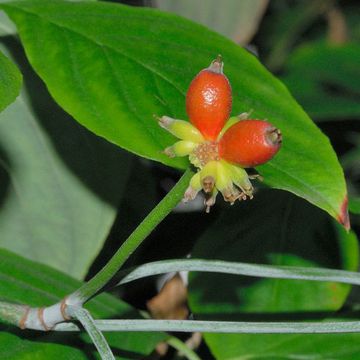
(220, 146)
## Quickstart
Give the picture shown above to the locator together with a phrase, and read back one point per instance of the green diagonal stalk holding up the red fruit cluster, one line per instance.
(166, 205)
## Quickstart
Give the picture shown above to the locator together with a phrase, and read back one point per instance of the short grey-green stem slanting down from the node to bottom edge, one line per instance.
(96, 335)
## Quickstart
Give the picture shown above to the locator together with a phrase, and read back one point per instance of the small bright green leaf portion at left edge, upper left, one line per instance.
(10, 81)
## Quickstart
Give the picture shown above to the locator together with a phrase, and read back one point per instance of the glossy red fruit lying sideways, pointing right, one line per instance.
(250, 143)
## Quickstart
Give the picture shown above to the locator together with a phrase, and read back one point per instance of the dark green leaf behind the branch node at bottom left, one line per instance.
(25, 281)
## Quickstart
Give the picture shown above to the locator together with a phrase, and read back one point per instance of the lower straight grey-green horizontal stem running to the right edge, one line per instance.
(236, 327)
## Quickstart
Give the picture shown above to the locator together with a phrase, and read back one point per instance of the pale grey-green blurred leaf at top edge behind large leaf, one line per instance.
(237, 20)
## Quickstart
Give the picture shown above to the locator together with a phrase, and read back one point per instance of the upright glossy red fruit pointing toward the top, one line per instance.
(208, 100)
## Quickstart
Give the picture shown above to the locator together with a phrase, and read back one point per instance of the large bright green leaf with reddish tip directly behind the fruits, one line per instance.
(112, 67)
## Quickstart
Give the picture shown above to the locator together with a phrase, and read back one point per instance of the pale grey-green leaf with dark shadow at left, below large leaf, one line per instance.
(60, 184)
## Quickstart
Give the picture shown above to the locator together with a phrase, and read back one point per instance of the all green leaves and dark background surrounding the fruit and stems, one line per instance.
(68, 198)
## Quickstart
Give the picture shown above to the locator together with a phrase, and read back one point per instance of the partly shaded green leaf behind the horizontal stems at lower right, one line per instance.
(280, 229)
